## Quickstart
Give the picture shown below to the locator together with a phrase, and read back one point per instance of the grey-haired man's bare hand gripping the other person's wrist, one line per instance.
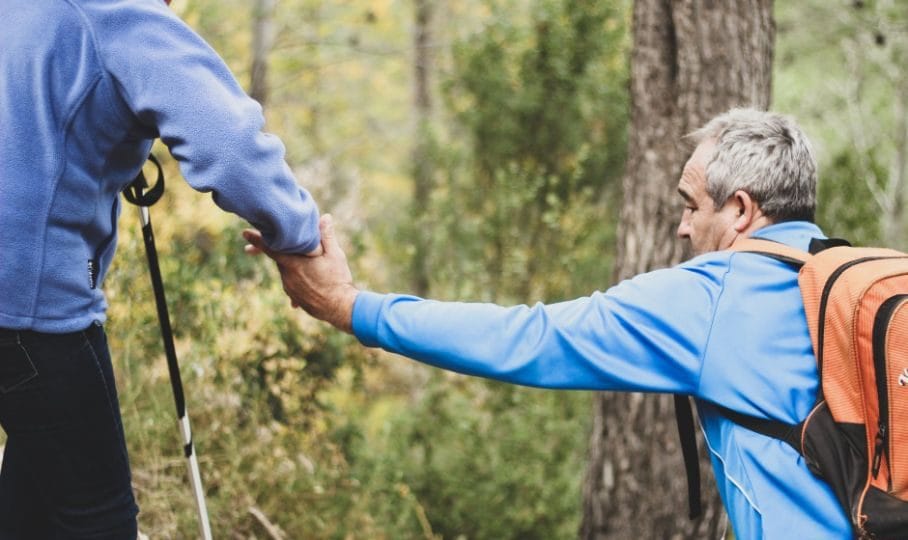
(319, 282)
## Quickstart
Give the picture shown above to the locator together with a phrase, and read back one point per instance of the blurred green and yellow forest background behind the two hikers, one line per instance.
(469, 149)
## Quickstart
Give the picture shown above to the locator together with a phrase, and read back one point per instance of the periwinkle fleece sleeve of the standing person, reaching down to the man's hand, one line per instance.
(178, 86)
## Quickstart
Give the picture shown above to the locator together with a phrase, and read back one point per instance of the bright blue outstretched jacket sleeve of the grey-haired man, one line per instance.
(646, 334)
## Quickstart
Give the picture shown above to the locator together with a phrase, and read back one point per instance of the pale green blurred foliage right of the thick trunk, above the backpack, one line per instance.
(840, 72)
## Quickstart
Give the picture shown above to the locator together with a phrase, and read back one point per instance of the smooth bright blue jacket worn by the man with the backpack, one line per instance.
(726, 328)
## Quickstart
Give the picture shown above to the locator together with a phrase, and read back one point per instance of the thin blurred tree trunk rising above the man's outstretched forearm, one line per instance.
(422, 149)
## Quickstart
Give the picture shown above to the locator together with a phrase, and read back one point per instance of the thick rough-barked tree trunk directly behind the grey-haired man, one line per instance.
(691, 60)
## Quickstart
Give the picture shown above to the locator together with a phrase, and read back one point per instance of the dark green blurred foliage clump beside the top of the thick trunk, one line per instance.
(538, 94)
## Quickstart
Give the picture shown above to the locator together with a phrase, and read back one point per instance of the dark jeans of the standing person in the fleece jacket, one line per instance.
(65, 469)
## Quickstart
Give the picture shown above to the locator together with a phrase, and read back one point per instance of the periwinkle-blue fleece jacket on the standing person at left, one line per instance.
(85, 86)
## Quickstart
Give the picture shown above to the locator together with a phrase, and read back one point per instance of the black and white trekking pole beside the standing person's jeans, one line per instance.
(136, 194)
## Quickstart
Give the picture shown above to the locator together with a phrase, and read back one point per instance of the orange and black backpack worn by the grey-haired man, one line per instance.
(856, 435)
